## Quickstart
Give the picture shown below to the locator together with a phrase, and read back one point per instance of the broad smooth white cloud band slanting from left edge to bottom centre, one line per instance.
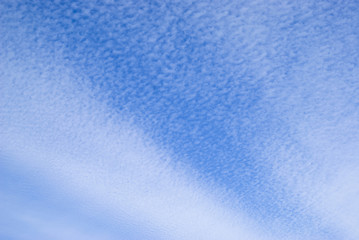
(92, 154)
